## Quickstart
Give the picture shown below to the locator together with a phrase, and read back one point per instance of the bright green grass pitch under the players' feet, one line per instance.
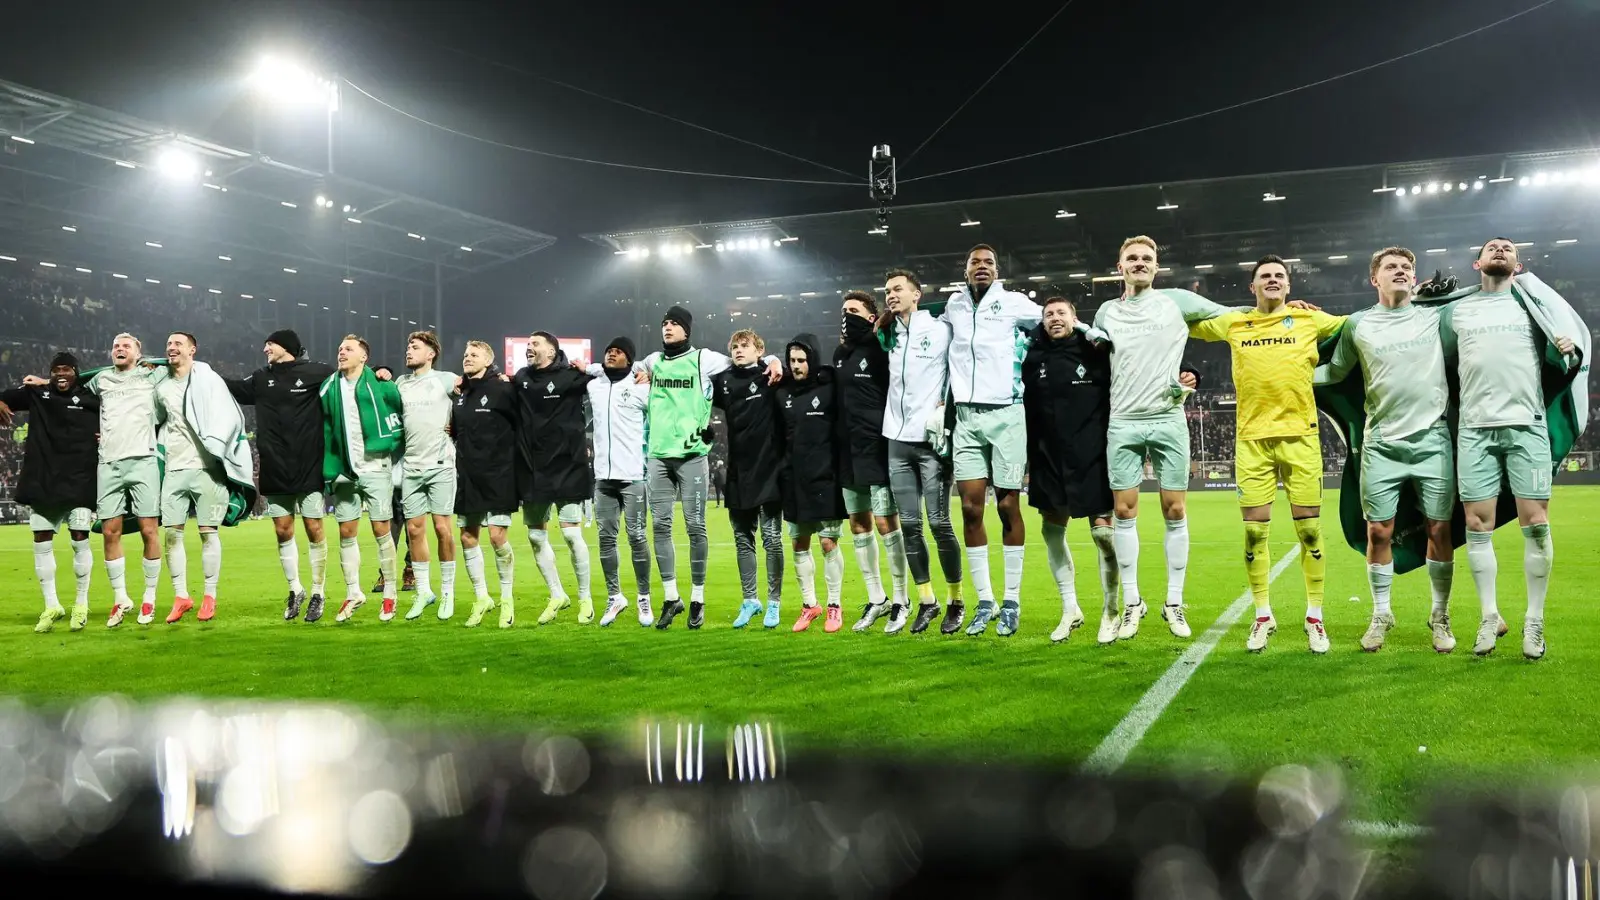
(1484, 723)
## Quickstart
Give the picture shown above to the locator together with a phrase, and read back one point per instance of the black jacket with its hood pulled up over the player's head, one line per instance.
(810, 412)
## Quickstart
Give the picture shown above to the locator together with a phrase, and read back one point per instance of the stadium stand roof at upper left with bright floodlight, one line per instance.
(92, 188)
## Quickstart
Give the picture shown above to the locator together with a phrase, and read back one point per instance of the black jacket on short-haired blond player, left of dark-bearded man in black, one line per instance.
(484, 427)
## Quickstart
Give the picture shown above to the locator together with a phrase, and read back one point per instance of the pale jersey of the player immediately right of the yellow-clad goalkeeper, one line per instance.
(1402, 368)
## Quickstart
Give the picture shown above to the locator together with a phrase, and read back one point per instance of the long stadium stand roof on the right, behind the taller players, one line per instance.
(1319, 215)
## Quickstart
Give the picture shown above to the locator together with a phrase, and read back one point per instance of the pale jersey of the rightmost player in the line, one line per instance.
(1498, 361)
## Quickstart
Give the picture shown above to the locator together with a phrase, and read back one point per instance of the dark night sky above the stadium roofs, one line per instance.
(828, 82)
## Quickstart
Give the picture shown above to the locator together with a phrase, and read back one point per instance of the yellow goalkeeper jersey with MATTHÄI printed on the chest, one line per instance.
(1274, 360)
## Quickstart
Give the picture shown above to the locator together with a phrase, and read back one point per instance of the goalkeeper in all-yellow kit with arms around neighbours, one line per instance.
(1278, 436)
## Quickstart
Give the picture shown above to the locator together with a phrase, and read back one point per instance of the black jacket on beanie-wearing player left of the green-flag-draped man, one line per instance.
(289, 424)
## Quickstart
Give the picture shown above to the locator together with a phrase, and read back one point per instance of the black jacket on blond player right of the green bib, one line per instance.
(756, 436)
